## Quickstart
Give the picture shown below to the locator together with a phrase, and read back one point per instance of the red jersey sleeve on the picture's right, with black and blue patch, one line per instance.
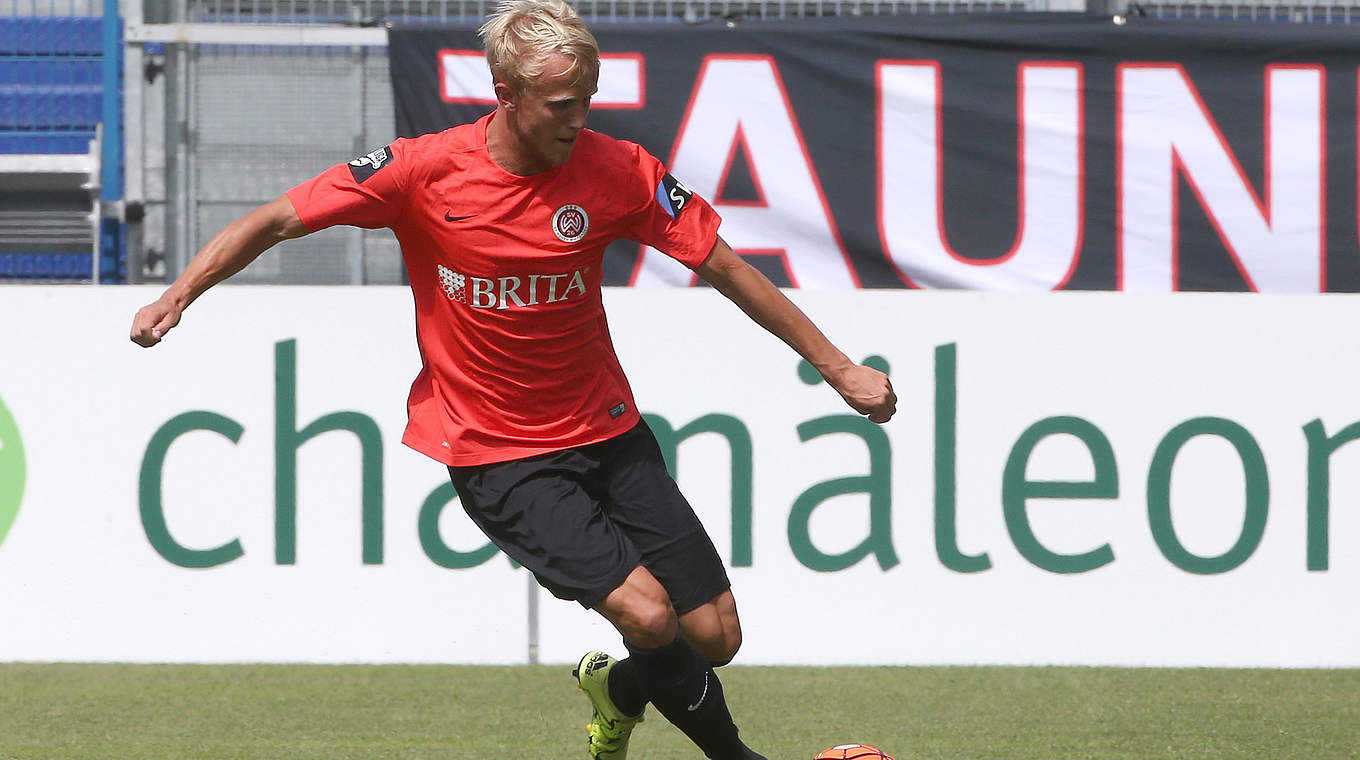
(671, 220)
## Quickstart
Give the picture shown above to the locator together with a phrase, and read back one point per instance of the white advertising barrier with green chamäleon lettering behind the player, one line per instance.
(1071, 479)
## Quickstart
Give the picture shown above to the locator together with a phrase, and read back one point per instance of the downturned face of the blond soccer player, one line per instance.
(551, 112)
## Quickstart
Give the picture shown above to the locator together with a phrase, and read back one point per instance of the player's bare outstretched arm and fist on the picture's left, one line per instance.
(229, 252)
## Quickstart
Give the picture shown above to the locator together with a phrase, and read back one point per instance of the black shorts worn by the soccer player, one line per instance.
(581, 520)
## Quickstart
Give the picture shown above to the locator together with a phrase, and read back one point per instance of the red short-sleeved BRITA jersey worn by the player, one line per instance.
(507, 273)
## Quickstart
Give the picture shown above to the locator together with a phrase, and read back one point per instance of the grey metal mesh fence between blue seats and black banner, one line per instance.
(262, 120)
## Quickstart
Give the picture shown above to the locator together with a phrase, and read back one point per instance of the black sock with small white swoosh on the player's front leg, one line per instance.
(682, 685)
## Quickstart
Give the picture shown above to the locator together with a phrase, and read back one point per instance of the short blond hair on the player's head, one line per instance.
(523, 33)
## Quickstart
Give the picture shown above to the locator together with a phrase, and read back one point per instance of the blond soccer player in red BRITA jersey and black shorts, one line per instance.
(504, 226)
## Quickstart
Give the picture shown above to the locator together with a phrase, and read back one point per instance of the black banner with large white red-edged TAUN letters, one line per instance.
(1013, 153)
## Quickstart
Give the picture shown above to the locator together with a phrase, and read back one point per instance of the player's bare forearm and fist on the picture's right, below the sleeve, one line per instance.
(866, 390)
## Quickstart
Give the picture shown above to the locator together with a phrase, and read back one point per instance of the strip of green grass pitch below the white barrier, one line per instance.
(324, 713)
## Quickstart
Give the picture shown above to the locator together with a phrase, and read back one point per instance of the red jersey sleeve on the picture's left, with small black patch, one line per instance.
(368, 192)
